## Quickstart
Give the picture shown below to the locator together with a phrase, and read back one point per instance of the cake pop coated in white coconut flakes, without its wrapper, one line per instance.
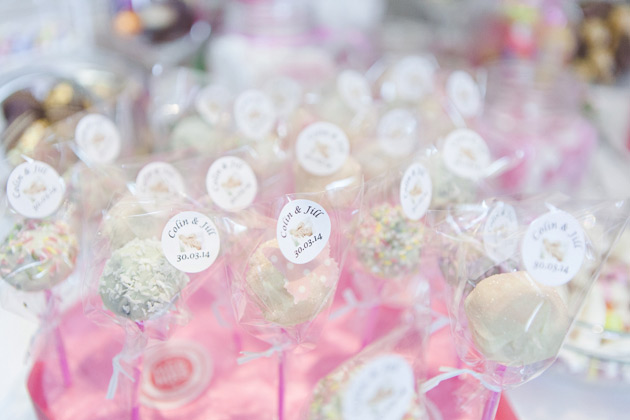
(138, 282)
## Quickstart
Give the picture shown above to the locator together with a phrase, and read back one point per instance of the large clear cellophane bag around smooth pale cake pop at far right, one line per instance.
(518, 273)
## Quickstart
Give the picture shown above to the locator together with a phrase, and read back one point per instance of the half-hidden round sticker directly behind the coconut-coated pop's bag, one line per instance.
(159, 180)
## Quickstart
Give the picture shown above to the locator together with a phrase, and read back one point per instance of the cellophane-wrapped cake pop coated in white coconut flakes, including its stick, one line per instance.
(152, 248)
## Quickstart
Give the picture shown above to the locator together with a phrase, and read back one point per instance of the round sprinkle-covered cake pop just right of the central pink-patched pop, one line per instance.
(388, 243)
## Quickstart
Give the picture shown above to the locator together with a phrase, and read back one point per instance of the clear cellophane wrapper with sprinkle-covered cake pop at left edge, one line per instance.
(39, 253)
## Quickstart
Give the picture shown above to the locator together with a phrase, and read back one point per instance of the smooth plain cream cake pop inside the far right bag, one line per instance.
(516, 321)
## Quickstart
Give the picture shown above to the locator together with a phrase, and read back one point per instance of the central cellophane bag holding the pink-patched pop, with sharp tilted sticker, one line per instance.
(285, 265)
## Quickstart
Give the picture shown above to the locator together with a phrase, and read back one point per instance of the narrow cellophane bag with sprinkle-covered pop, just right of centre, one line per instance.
(386, 254)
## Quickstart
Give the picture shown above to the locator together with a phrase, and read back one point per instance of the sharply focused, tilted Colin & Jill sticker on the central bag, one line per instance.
(303, 230)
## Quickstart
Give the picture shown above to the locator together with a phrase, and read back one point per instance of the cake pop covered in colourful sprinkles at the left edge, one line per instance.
(37, 254)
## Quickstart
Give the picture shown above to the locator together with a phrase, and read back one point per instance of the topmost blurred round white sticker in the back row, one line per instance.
(413, 77)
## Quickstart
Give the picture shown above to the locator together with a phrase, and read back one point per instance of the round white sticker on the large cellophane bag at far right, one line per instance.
(553, 248)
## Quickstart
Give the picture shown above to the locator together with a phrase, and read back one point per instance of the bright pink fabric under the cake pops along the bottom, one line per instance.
(236, 392)
